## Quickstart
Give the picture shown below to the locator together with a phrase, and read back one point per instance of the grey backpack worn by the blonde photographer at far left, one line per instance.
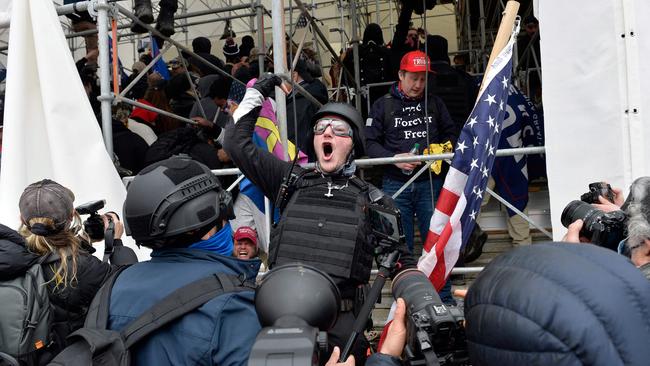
(25, 315)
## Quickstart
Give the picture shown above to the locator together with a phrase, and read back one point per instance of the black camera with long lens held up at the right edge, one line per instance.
(601, 228)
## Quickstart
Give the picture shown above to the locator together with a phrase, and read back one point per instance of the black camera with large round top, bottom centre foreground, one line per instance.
(296, 304)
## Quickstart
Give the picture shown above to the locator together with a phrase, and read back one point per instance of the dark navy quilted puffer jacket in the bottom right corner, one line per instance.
(559, 304)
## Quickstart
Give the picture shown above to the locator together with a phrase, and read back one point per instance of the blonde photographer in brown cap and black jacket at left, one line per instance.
(50, 234)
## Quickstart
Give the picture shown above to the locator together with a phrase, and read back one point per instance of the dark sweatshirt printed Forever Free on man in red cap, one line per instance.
(396, 123)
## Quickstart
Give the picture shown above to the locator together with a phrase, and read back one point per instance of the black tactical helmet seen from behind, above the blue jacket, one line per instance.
(173, 197)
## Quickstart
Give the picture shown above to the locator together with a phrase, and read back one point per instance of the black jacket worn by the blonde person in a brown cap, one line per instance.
(70, 304)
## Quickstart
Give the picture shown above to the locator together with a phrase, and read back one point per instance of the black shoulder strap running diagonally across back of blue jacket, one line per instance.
(181, 302)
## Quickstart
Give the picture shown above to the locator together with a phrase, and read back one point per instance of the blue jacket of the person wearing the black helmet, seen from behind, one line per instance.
(221, 332)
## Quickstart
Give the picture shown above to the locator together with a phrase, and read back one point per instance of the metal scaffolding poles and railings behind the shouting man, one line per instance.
(105, 10)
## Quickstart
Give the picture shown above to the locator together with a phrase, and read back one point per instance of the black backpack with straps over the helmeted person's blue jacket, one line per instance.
(95, 345)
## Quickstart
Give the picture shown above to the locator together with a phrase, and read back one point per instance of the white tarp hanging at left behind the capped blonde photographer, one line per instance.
(49, 127)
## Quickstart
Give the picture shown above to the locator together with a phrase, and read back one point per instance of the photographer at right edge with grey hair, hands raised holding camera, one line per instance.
(637, 208)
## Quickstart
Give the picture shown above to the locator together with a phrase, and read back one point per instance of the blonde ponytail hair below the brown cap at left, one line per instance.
(64, 243)
